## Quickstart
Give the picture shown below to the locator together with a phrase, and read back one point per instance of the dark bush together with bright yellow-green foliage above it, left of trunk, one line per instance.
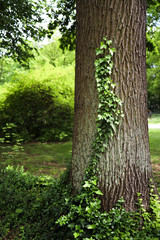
(39, 100)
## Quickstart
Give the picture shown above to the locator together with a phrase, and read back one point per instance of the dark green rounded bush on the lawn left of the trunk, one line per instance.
(39, 110)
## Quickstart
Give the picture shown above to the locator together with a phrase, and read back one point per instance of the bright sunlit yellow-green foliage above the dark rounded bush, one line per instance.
(49, 63)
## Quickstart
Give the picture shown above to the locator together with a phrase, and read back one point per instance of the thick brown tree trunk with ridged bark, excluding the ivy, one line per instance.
(125, 167)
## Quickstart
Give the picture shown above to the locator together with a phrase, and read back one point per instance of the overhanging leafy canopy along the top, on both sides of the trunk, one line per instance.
(22, 20)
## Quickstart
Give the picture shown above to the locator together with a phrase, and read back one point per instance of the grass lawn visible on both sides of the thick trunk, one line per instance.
(52, 158)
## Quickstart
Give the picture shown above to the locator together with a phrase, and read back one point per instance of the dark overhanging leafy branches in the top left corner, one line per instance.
(21, 20)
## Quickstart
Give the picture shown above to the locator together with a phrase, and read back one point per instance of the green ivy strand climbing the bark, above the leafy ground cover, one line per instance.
(109, 109)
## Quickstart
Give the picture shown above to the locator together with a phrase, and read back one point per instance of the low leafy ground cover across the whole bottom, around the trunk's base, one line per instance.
(42, 208)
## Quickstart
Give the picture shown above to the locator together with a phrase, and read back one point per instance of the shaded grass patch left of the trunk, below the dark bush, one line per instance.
(42, 158)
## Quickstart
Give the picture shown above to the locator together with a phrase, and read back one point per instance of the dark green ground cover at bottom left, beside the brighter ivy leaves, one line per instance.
(30, 206)
